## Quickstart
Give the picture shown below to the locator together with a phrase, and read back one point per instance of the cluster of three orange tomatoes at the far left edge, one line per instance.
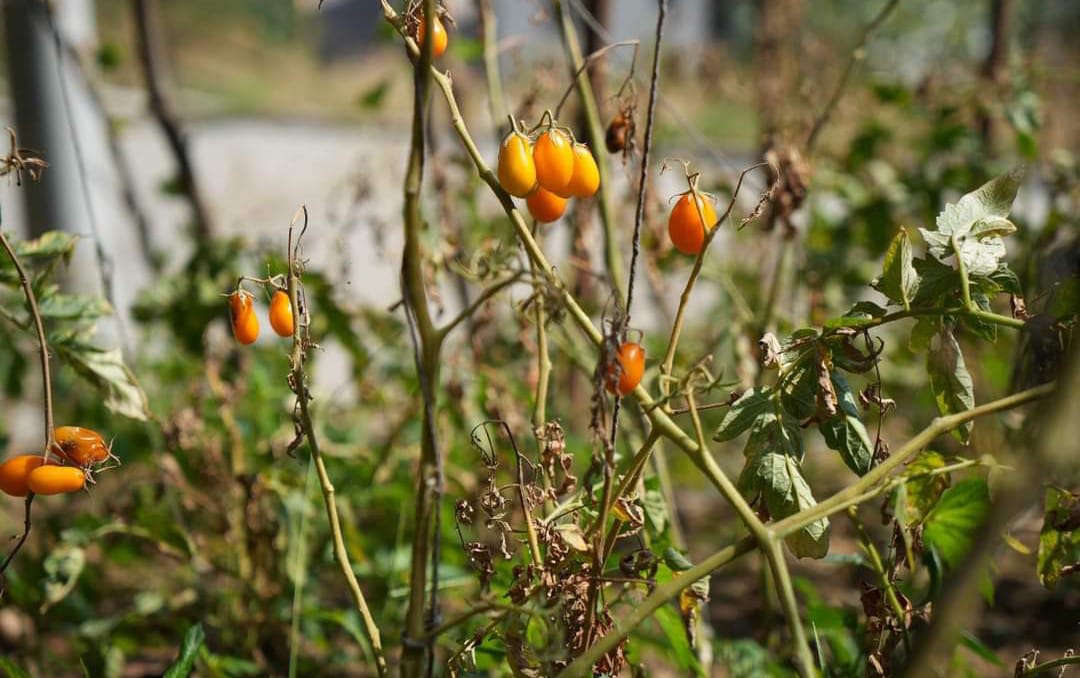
(79, 452)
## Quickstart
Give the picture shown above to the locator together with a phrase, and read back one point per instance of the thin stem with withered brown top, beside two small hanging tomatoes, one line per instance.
(299, 383)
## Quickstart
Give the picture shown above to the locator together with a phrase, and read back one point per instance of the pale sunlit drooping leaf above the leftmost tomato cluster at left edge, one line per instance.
(106, 372)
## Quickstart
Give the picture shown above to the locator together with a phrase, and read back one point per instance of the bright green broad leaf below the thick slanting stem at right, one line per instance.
(952, 524)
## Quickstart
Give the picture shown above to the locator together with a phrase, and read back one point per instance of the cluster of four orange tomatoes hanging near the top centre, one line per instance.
(547, 168)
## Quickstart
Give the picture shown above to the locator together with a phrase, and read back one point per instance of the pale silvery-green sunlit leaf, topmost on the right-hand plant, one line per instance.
(978, 224)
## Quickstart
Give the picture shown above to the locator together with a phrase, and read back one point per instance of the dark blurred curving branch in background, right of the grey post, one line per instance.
(151, 61)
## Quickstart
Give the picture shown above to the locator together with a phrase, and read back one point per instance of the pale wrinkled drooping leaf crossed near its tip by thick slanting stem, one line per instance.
(779, 479)
